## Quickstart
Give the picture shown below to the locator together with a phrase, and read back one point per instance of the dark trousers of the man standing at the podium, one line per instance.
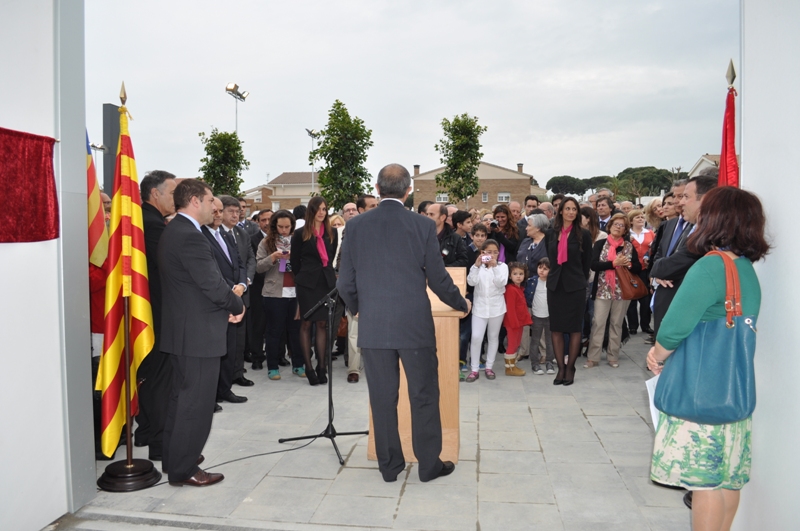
(383, 379)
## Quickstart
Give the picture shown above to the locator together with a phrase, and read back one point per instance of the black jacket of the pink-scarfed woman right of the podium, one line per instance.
(574, 273)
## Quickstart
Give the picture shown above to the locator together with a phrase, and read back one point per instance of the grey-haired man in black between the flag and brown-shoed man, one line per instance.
(155, 373)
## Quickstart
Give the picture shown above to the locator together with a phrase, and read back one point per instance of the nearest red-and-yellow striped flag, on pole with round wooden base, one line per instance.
(127, 278)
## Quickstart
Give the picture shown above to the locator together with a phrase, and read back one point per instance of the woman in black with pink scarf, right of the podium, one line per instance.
(569, 248)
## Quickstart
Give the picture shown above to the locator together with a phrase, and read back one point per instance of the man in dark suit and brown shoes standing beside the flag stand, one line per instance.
(197, 304)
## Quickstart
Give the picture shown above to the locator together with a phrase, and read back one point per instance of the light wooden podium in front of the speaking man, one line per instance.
(445, 319)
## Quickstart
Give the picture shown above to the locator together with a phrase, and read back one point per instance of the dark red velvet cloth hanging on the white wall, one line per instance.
(27, 188)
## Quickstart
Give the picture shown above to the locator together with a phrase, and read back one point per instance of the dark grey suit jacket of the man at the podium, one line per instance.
(389, 255)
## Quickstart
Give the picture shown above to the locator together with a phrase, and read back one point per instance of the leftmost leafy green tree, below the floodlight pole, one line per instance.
(224, 162)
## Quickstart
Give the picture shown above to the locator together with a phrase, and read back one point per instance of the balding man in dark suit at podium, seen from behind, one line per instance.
(386, 289)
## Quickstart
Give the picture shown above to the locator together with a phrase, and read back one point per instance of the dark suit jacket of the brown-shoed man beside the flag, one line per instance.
(196, 298)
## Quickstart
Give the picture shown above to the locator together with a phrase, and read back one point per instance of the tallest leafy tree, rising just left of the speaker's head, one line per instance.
(343, 146)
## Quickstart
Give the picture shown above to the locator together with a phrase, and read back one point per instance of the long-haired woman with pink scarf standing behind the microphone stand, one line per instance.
(313, 248)
